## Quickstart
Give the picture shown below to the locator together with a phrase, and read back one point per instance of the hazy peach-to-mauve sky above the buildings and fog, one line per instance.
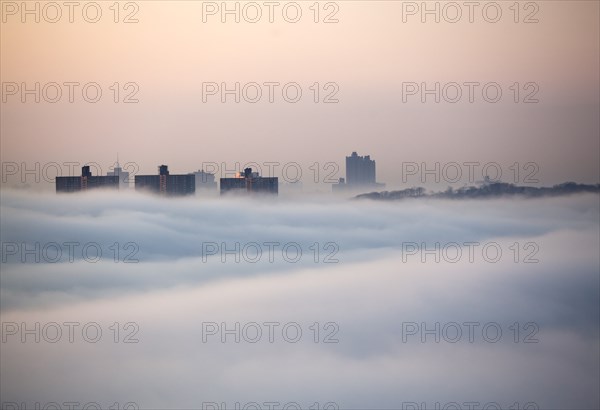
(369, 53)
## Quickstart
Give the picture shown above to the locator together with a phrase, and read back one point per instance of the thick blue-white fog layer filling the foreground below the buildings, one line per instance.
(415, 304)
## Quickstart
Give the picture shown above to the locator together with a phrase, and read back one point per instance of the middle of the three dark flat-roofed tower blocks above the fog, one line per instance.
(166, 184)
